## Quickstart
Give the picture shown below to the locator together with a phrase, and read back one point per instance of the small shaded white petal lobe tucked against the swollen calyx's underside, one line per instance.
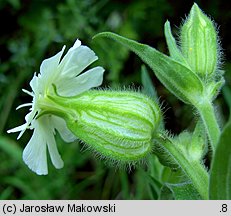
(61, 127)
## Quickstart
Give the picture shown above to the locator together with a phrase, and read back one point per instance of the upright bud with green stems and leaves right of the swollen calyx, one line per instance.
(192, 73)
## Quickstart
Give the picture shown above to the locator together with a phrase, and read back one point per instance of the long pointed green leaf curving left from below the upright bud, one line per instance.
(177, 78)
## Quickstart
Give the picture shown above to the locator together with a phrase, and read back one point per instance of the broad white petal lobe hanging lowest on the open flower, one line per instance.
(34, 155)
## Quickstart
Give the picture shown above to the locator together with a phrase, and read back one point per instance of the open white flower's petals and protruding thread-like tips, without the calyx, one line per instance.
(64, 74)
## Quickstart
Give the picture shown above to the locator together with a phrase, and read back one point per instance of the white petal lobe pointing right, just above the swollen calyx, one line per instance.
(74, 86)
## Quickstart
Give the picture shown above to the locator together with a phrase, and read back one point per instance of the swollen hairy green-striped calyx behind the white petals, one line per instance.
(117, 125)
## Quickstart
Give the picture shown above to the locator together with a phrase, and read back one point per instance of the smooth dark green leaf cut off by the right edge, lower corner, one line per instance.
(220, 179)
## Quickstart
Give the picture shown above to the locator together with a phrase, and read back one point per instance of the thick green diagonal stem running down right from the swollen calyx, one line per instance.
(193, 169)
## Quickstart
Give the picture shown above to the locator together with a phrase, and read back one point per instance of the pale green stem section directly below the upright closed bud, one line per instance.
(208, 117)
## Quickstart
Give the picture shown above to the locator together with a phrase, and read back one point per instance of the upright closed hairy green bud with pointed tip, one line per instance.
(199, 43)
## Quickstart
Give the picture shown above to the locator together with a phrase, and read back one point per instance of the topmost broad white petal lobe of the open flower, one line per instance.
(76, 60)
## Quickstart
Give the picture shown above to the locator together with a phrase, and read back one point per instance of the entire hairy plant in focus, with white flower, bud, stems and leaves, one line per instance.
(126, 127)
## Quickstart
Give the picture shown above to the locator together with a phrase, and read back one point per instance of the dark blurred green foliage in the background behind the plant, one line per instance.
(33, 30)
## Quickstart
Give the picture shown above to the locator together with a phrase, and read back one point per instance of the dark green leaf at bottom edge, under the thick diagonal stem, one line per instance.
(182, 191)
